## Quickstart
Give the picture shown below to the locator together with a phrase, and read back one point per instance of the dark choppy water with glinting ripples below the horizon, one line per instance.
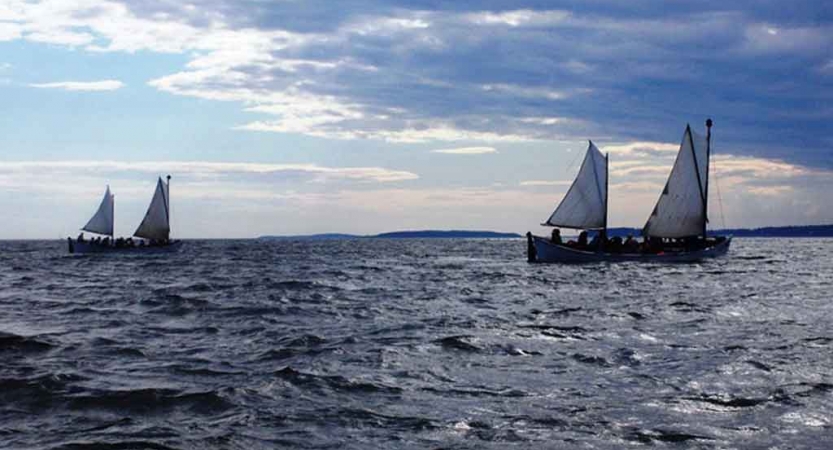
(413, 344)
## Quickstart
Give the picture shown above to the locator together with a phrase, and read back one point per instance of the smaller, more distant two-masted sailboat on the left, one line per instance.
(155, 228)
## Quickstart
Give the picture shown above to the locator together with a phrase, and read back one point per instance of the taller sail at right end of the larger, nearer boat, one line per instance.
(681, 208)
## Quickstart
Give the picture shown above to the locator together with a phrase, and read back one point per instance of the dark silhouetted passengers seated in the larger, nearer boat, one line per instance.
(652, 245)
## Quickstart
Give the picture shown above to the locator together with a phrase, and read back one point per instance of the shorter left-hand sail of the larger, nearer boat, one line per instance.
(585, 204)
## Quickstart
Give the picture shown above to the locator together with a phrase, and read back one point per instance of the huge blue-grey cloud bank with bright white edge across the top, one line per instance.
(428, 72)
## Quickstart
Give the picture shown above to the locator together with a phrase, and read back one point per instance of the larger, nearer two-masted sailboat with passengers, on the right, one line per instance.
(674, 232)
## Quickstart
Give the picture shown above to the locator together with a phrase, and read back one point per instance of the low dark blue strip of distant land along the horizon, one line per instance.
(789, 231)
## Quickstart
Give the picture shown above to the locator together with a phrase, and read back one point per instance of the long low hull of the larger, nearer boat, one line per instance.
(543, 250)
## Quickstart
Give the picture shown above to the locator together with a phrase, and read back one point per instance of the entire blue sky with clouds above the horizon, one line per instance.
(364, 116)
